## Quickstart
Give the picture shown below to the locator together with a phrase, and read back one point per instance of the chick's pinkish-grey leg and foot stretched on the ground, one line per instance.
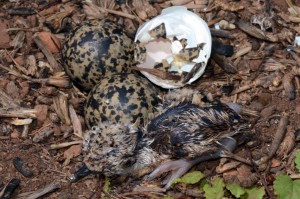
(178, 168)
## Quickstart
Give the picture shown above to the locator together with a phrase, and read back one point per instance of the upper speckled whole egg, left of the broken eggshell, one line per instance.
(94, 49)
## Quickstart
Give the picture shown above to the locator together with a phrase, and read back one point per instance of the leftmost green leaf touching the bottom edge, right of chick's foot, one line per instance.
(215, 190)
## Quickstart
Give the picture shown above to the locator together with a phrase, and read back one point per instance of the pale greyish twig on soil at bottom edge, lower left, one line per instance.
(40, 192)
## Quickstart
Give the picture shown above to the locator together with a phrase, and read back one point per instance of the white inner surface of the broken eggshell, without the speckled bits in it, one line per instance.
(181, 23)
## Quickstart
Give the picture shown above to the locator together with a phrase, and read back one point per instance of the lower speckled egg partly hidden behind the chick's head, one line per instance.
(120, 98)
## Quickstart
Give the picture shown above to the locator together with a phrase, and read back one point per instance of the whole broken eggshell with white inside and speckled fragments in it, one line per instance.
(172, 49)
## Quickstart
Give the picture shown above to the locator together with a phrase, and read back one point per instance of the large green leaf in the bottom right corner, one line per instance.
(286, 188)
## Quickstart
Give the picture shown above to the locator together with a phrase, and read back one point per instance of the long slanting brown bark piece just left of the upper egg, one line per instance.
(51, 59)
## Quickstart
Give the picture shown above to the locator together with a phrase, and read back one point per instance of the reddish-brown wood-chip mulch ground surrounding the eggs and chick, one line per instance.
(41, 125)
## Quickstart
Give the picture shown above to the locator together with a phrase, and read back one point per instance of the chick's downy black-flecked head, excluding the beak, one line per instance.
(109, 149)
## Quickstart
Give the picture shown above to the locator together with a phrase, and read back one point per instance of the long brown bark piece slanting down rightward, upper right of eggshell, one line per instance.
(256, 32)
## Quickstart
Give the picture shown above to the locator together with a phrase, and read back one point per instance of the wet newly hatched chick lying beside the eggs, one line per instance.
(186, 128)
